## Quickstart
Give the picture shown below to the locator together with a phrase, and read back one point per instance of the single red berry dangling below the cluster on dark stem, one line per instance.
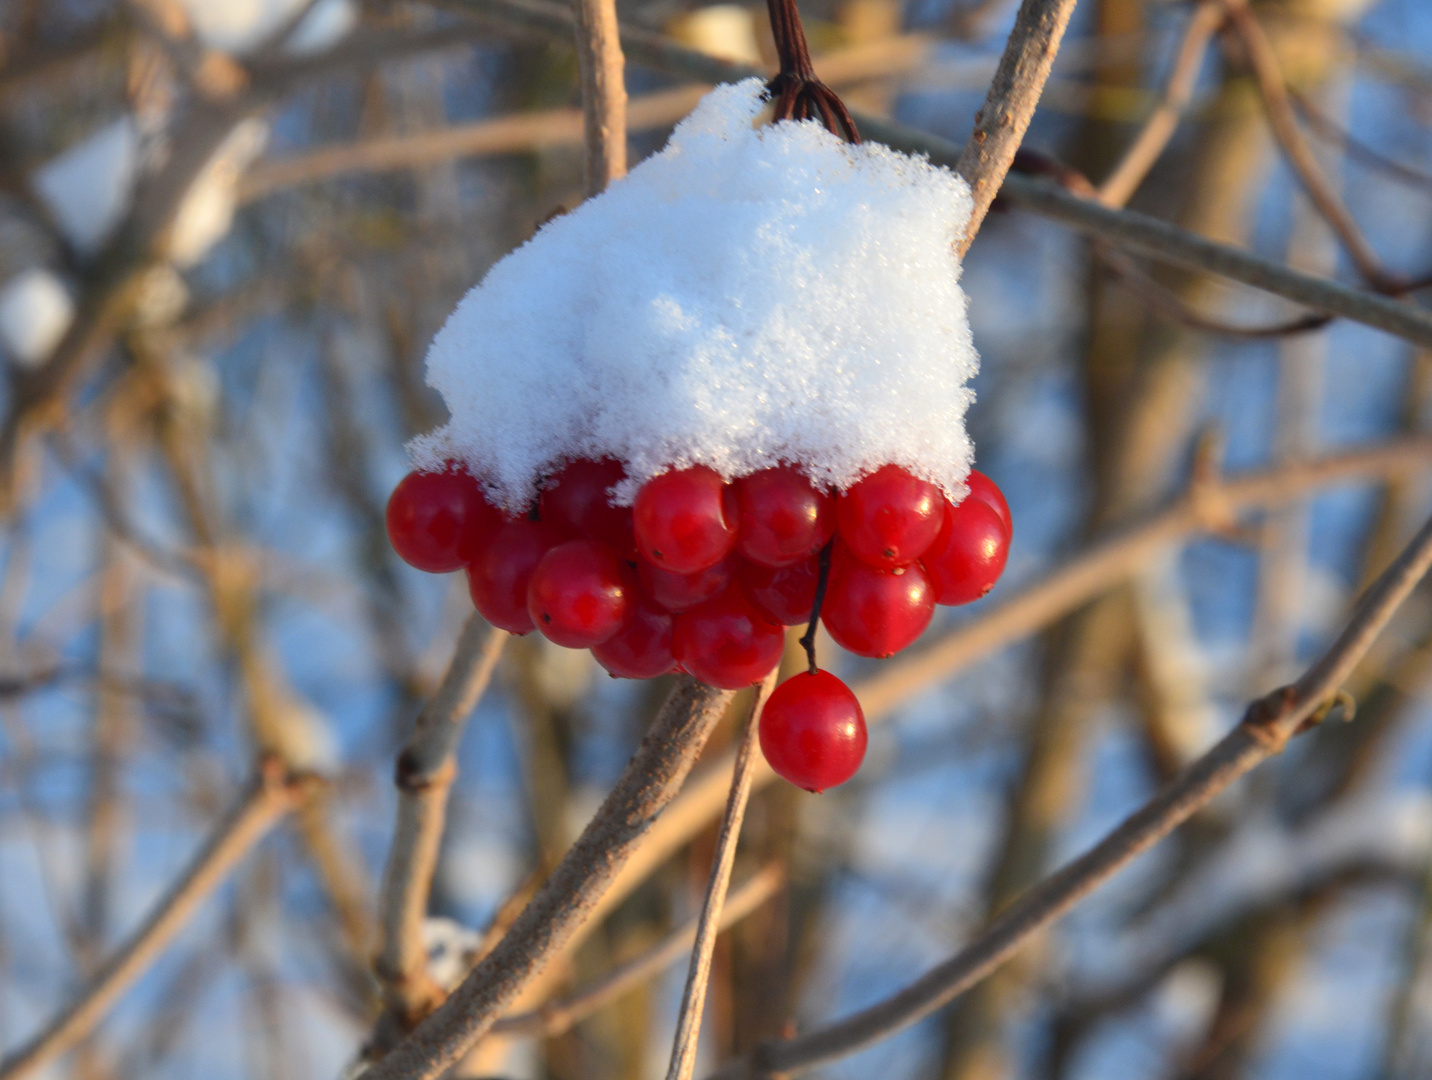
(813, 731)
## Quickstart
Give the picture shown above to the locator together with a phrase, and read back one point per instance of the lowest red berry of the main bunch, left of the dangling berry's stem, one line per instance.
(725, 642)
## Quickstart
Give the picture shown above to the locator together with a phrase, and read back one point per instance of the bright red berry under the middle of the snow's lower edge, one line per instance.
(687, 521)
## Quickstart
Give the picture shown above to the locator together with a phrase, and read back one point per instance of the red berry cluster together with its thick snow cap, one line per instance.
(721, 399)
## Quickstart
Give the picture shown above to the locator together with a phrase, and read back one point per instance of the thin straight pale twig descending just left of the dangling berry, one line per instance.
(694, 999)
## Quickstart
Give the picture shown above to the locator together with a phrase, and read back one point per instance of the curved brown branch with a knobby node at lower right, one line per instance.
(1267, 728)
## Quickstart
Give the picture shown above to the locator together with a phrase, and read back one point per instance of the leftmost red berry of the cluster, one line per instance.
(437, 521)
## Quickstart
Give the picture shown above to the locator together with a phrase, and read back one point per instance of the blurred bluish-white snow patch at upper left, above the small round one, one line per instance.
(89, 185)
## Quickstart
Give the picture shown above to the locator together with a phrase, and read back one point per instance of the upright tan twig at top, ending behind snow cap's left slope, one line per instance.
(604, 91)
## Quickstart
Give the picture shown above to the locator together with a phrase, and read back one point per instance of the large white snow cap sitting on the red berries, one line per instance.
(747, 297)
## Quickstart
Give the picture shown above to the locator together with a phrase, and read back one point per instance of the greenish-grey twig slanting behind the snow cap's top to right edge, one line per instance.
(1126, 230)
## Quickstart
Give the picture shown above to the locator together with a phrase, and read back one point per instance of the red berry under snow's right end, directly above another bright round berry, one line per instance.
(890, 518)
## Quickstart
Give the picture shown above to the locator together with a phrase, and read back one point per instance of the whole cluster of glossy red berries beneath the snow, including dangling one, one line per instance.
(702, 577)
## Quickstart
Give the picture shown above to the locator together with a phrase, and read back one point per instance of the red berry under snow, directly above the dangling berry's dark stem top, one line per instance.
(784, 519)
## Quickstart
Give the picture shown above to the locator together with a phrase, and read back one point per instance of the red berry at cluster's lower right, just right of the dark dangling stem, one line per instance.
(874, 612)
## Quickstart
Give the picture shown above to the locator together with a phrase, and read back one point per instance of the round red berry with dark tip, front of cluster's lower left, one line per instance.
(579, 595)
